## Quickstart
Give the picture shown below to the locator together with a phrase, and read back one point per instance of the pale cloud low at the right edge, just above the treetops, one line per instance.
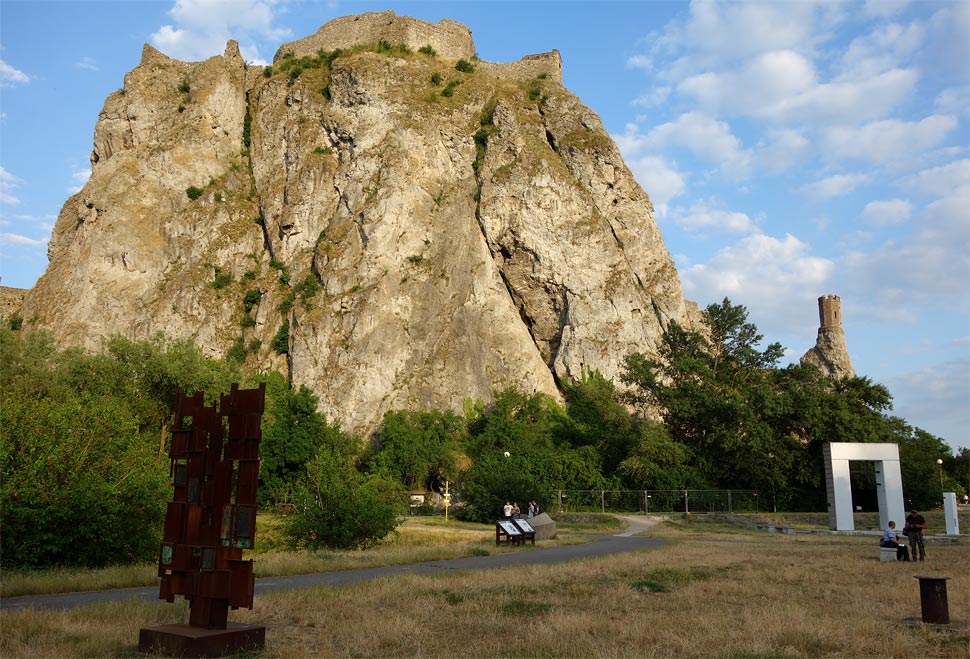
(936, 399)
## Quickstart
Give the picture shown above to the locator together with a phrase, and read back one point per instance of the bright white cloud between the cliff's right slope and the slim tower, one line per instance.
(776, 279)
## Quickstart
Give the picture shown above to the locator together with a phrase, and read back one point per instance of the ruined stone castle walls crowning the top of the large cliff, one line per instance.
(449, 38)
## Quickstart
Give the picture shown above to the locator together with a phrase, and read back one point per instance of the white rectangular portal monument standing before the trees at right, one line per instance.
(889, 482)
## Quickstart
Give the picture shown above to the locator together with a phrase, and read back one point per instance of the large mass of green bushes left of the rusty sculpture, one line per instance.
(83, 479)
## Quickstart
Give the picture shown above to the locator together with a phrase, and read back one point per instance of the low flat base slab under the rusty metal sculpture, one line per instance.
(187, 641)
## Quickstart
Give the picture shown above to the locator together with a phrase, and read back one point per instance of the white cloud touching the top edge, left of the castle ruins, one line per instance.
(203, 27)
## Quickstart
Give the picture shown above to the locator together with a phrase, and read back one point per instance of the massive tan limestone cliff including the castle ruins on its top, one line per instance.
(389, 230)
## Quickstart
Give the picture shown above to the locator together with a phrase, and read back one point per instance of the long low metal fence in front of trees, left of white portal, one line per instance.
(652, 501)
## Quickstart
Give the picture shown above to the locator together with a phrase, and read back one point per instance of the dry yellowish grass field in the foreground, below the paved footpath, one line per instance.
(713, 591)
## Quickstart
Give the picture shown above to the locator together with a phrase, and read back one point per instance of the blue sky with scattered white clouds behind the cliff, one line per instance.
(791, 149)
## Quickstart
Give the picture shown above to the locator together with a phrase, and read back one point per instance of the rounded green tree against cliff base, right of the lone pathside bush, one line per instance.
(421, 448)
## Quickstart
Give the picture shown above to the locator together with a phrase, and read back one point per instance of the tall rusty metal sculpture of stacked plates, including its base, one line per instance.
(211, 519)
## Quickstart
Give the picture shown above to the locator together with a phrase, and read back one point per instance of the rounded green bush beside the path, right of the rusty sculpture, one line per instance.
(338, 507)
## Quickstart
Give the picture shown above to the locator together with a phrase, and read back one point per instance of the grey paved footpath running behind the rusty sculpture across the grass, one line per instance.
(598, 546)
